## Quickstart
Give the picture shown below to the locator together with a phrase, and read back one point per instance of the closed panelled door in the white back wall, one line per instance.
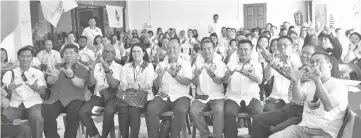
(254, 15)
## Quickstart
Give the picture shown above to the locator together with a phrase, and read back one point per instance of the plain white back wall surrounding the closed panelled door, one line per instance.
(198, 14)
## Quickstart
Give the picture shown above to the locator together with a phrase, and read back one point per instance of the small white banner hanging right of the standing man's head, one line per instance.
(115, 16)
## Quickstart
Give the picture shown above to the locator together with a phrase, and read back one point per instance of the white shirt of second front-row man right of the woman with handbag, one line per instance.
(206, 84)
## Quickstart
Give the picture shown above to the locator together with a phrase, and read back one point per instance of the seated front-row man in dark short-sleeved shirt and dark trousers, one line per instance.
(68, 82)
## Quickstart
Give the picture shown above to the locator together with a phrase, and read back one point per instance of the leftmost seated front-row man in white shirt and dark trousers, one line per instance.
(26, 84)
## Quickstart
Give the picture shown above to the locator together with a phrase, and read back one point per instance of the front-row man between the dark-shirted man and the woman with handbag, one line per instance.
(106, 76)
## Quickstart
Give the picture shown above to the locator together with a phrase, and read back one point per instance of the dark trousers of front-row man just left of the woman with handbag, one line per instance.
(85, 113)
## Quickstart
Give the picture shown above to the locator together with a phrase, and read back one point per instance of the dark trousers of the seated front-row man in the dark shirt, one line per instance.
(51, 111)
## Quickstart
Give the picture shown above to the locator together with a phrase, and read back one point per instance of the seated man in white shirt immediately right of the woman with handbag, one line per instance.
(173, 78)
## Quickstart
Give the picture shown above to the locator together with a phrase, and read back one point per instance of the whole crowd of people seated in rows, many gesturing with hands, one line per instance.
(285, 80)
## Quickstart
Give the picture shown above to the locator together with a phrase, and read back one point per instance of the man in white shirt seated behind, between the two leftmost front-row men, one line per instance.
(48, 57)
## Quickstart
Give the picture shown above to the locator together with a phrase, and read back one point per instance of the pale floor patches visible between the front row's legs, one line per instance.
(143, 129)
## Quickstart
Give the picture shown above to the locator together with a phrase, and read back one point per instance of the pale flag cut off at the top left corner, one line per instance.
(9, 24)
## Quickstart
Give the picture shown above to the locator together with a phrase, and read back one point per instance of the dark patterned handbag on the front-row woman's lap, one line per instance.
(132, 97)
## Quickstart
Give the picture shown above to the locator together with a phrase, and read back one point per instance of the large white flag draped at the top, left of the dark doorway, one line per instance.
(52, 10)
